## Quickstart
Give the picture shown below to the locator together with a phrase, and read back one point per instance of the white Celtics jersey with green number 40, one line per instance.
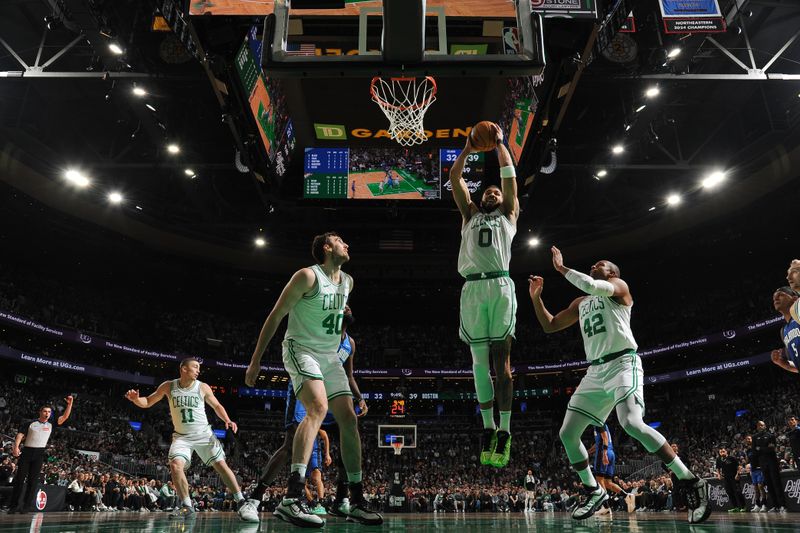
(316, 321)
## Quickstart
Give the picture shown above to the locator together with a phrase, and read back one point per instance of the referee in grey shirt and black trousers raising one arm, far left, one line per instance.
(29, 464)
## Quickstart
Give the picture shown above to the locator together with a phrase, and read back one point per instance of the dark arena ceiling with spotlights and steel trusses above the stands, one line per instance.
(729, 102)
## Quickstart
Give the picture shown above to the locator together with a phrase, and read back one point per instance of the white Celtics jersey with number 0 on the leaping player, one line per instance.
(485, 243)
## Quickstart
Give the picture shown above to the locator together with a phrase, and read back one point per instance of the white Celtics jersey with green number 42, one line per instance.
(605, 326)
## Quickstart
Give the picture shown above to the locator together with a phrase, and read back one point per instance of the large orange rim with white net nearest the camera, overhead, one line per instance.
(404, 101)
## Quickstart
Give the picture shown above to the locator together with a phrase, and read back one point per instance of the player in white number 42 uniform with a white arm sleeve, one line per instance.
(613, 381)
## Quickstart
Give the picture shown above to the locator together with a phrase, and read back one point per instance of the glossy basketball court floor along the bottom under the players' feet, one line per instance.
(464, 523)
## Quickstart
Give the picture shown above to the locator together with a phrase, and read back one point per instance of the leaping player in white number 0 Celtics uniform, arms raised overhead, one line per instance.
(488, 300)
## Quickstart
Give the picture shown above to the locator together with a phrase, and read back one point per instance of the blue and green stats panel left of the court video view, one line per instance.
(326, 172)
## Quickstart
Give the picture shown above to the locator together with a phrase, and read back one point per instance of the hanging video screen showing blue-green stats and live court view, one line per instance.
(372, 173)
